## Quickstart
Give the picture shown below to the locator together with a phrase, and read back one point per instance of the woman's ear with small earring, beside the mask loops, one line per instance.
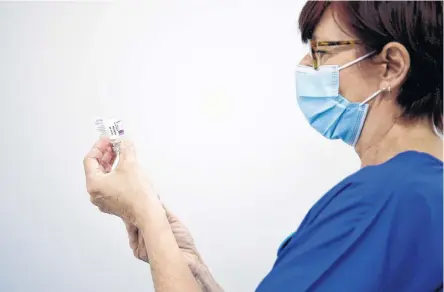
(396, 62)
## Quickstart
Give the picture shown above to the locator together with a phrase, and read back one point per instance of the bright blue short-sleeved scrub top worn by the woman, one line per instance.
(381, 229)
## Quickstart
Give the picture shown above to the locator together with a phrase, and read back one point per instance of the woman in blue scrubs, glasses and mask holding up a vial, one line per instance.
(373, 79)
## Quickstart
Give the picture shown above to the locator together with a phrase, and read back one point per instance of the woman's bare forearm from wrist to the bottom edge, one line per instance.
(169, 269)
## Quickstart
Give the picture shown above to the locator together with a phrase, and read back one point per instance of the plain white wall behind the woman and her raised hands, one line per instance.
(206, 90)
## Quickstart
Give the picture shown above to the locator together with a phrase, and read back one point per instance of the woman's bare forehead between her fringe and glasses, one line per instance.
(330, 28)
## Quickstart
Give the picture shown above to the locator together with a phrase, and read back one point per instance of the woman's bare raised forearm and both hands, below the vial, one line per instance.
(127, 193)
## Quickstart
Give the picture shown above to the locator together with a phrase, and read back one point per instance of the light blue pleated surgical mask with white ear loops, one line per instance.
(326, 110)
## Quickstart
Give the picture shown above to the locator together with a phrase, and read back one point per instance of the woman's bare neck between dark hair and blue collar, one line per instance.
(400, 138)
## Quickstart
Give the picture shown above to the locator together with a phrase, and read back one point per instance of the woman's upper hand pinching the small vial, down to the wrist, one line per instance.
(125, 191)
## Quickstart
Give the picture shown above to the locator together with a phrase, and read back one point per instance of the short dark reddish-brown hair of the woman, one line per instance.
(415, 24)
